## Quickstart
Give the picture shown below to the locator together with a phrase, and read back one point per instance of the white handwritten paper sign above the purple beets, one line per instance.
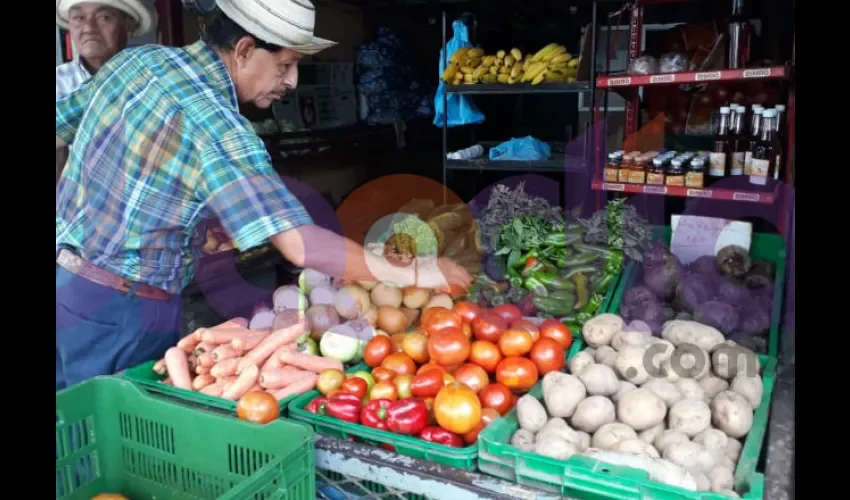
(694, 237)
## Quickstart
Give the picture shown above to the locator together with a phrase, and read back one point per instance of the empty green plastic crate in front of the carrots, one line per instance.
(113, 437)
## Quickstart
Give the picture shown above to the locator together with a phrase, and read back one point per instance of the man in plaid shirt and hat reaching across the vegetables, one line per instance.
(159, 145)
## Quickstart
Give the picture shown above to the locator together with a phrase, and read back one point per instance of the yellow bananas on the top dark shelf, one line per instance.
(552, 63)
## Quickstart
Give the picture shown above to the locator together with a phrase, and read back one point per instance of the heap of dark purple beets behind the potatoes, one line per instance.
(731, 292)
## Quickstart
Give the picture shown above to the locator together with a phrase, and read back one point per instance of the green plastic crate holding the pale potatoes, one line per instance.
(591, 479)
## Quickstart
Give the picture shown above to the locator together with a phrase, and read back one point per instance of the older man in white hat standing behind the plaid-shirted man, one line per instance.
(99, 30)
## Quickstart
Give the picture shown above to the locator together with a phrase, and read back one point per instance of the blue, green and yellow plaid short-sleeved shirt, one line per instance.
(159, 145)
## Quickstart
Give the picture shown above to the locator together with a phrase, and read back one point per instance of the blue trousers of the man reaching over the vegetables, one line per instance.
(101, 331)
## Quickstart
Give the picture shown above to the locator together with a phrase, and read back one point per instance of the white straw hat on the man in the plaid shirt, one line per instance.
(287, 23)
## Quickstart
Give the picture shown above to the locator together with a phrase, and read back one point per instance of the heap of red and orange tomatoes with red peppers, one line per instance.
(445, 381)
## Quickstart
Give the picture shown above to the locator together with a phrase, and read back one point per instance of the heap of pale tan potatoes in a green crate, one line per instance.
(678, 406)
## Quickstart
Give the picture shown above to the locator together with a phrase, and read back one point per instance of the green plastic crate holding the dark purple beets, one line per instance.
(765, 246)
